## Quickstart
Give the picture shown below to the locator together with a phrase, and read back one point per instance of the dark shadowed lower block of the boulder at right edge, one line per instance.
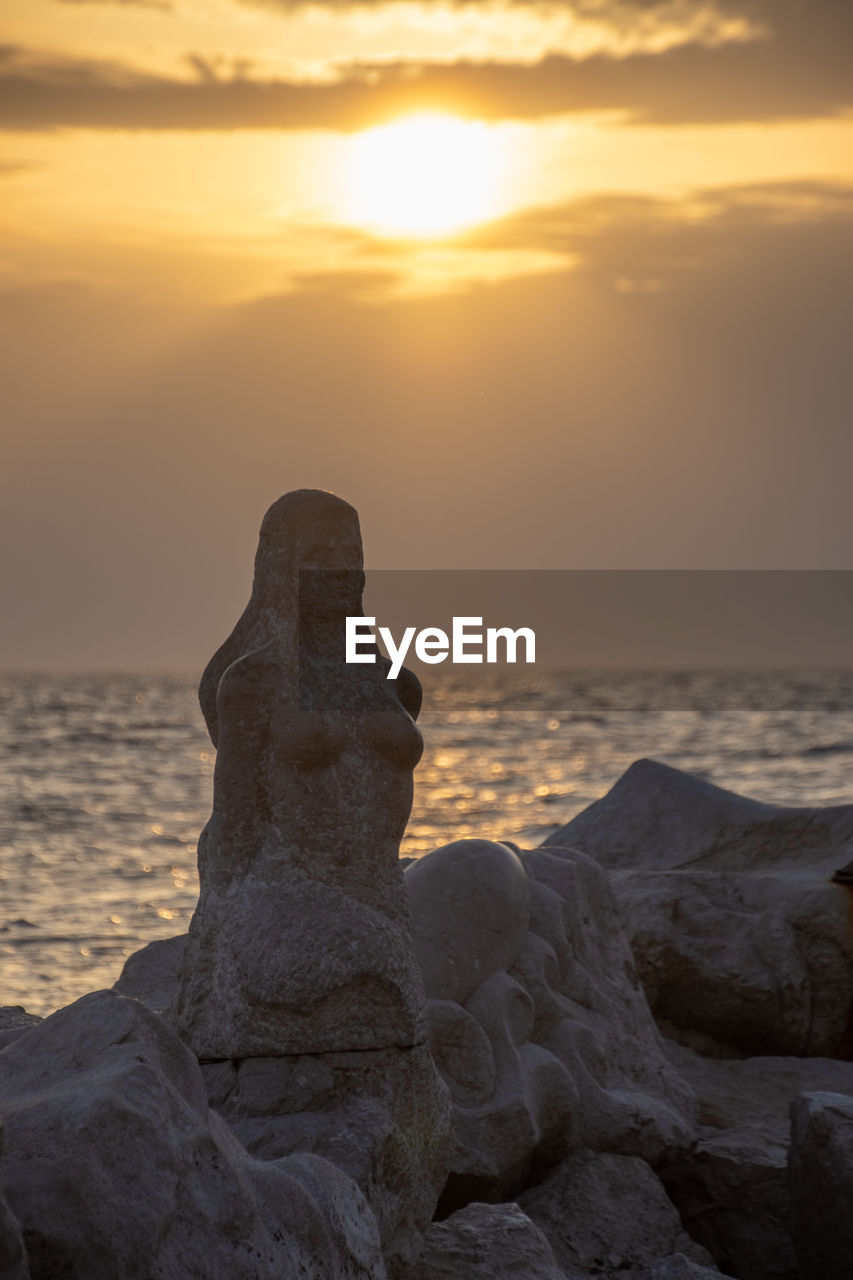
(763, 963)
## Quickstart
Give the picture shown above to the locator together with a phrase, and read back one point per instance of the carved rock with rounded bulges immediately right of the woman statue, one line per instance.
(556, 1052)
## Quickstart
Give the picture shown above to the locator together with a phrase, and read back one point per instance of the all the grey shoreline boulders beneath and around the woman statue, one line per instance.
(585, 1141)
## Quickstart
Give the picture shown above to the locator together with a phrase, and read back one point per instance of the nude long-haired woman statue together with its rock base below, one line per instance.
(299, 988)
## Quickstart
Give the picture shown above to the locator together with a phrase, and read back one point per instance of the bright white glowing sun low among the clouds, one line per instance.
(425, 176)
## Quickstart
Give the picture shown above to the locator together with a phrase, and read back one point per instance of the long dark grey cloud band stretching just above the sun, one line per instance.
(802, 70)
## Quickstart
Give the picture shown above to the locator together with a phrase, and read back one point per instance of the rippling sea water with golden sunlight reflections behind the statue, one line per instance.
(106, 783)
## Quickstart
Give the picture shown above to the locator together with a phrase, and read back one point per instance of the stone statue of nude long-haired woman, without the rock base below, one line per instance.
(300, 943)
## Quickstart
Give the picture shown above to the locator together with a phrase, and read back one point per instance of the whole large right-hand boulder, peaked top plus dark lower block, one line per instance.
(737, 930)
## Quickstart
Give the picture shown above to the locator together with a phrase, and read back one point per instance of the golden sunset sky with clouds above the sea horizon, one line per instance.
(533, 286)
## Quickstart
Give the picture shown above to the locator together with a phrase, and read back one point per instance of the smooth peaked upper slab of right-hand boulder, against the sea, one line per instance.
(663, 820)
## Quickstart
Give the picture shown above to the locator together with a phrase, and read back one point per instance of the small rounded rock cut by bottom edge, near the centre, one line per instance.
(486, 1242)
